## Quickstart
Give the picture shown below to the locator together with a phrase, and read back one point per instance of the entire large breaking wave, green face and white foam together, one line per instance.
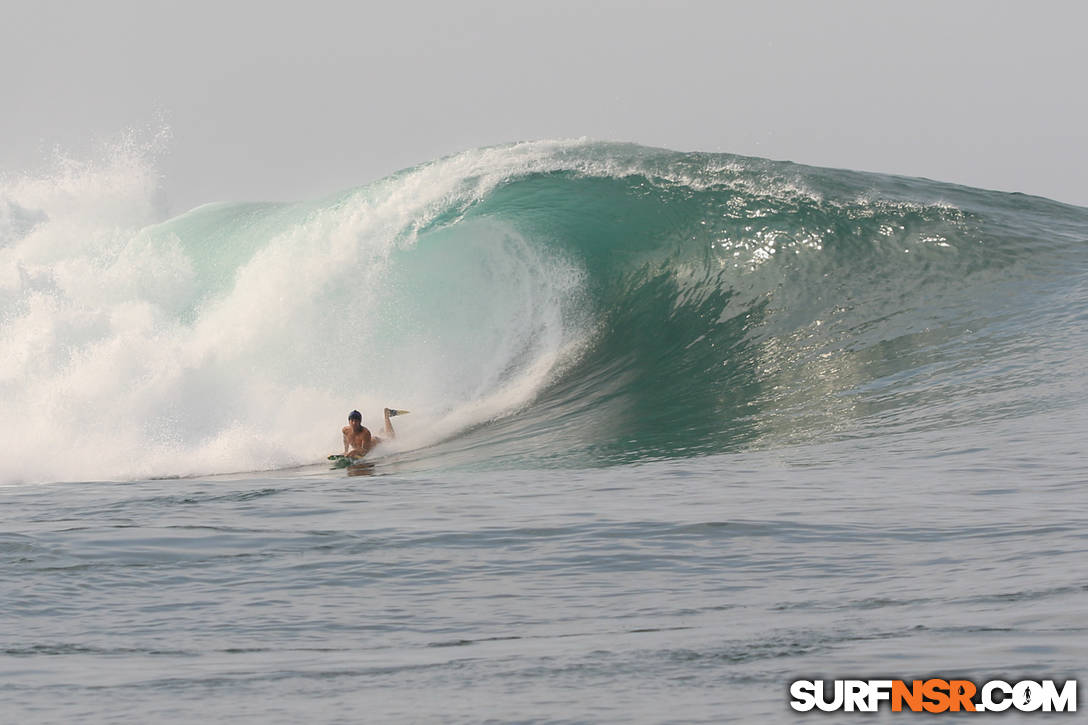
(541, 304)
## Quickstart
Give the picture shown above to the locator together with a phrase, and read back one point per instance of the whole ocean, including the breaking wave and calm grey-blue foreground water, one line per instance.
(686, 428)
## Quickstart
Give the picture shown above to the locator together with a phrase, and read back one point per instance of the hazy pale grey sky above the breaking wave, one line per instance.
(270, 103)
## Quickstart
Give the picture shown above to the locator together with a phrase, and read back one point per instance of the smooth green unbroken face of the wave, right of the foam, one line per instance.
(739, 304)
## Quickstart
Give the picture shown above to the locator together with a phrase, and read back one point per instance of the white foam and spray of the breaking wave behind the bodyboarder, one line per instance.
(116, 363)
